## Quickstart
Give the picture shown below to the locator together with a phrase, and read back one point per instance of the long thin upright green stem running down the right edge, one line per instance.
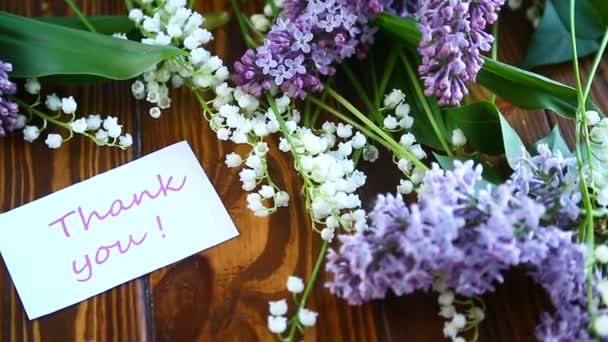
(581, 120)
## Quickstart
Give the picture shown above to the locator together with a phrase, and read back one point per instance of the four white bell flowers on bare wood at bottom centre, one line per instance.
(277, 322)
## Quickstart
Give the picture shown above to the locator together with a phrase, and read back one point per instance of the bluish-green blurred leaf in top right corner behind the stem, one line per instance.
(551, 42)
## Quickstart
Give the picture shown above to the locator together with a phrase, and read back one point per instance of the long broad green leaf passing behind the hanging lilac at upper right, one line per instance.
(522, 88)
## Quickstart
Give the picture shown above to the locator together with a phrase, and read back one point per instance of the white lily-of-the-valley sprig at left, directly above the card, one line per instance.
(106, 131)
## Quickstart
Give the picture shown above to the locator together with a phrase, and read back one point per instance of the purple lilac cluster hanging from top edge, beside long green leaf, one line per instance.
(453, 37)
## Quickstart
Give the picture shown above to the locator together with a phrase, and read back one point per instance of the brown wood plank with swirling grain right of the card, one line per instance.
(223, 293)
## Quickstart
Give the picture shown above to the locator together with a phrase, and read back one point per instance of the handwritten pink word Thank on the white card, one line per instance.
(118, 206)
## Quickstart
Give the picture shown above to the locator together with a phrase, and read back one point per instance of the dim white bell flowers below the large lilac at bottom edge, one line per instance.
(456, 322)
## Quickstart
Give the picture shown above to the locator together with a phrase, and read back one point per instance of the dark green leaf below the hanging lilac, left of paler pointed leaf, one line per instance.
(480, 123)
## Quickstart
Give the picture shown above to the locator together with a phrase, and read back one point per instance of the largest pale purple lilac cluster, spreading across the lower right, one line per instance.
(468, 235)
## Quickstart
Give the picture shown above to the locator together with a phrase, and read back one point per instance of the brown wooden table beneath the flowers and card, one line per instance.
(222, 294)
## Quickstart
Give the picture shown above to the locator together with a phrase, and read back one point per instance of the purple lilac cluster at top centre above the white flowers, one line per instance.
(303, 47)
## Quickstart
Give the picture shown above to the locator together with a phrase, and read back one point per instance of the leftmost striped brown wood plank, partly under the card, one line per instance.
(32, 171)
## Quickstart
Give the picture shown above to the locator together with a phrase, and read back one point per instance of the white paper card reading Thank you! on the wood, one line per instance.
(112, 228)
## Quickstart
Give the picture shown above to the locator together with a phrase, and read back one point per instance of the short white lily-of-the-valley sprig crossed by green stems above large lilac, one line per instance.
(402, 122)
